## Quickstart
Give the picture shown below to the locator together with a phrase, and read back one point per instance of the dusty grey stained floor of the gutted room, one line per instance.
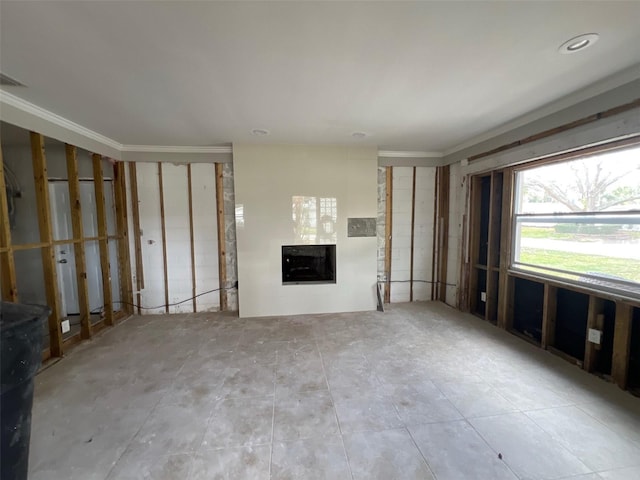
(418, 392)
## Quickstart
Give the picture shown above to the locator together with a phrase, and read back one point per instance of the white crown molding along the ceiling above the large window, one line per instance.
(603, 86)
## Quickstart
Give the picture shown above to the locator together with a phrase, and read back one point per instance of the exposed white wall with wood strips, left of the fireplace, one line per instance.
(178, 237)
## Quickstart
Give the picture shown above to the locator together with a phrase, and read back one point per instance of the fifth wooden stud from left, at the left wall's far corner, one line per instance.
(124, 261)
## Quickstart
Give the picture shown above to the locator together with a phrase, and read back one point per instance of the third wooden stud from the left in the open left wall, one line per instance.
(78, 234)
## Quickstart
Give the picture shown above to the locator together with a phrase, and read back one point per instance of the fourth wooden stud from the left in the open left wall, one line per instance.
(101, 212)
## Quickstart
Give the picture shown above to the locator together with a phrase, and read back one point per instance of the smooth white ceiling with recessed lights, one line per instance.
(424, 76)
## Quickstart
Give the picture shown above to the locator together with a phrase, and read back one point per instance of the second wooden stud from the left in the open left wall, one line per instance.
(41, 183)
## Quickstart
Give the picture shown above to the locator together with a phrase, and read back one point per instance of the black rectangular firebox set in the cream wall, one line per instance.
(308, 264)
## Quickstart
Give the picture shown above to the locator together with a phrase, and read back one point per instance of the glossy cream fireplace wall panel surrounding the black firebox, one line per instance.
(266, 179)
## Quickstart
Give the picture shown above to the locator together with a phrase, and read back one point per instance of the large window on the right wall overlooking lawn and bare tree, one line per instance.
(580, 220)
